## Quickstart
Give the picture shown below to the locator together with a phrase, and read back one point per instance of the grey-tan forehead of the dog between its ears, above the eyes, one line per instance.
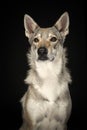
(46, 32)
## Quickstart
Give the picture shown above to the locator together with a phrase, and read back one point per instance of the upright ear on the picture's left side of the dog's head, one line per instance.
(30, 25)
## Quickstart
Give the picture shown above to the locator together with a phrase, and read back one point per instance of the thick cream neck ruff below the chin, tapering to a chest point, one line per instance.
(49, 77)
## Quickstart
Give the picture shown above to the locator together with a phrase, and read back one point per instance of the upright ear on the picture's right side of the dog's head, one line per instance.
(63, 24)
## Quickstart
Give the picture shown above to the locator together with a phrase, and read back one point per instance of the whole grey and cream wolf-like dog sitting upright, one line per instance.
(47, 102)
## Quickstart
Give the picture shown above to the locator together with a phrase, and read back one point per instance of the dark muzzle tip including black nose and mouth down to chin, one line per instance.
(42, 53)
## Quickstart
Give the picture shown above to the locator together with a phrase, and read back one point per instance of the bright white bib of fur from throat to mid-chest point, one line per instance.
(48, 72)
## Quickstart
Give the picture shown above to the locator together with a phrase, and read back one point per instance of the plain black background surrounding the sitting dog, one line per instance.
(14, 46)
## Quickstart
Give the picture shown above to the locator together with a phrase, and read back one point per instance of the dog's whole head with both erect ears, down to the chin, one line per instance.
(45, 42)
